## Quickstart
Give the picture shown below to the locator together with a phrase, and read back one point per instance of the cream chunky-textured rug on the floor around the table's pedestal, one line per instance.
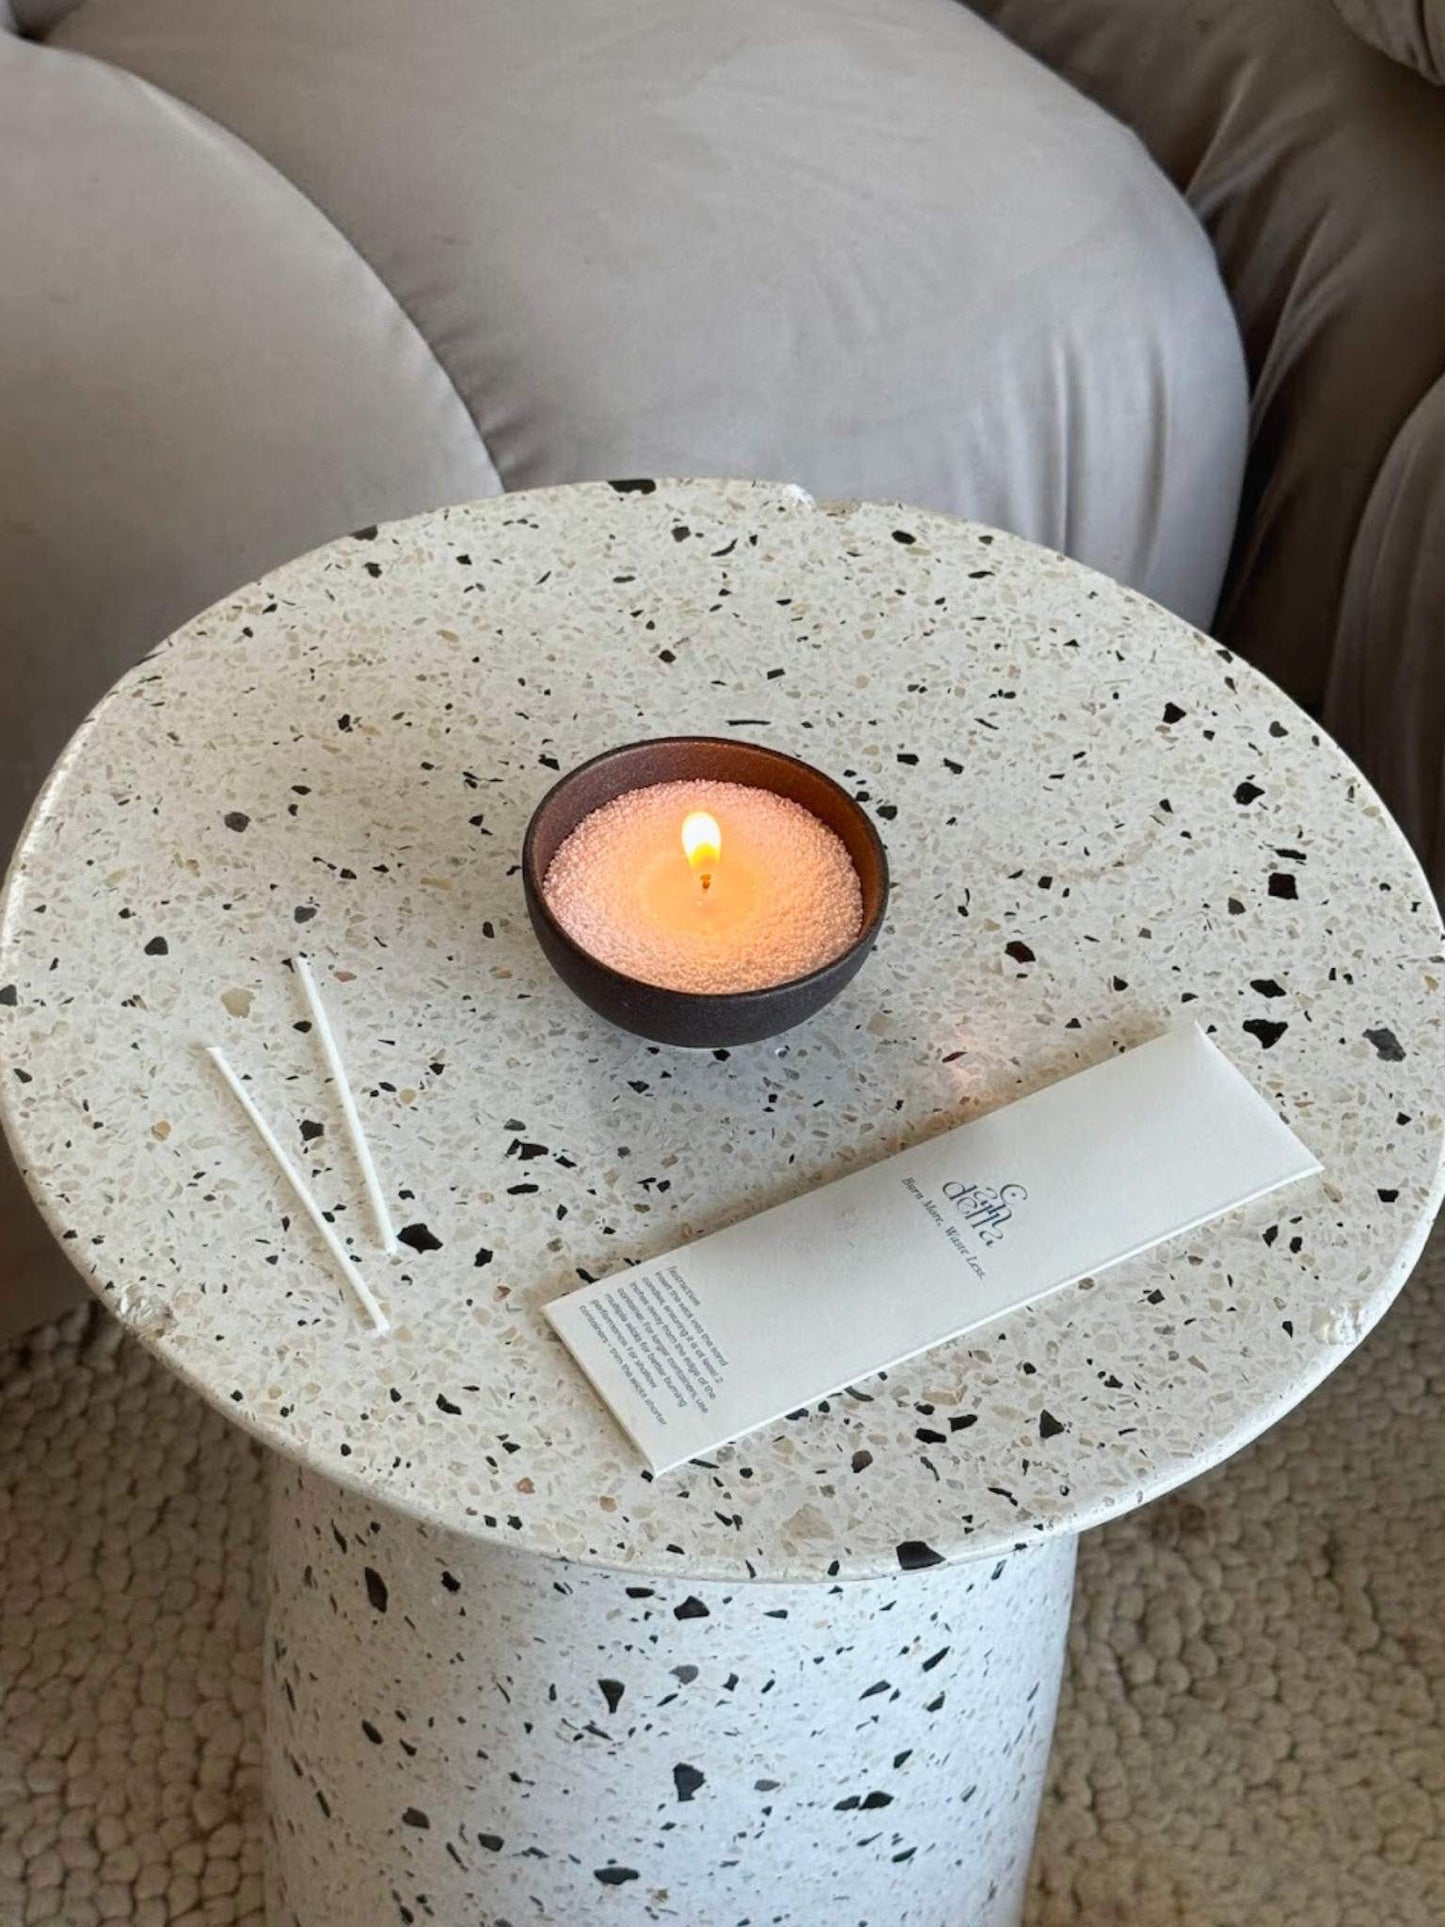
(1253, 1729)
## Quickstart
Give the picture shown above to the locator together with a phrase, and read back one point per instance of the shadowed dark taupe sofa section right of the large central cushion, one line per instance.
(1319, 171)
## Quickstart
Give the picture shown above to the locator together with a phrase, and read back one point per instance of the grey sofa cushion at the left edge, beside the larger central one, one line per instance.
(197, 379)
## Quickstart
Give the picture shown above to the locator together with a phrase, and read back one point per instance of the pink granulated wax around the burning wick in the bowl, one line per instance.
(781, 897)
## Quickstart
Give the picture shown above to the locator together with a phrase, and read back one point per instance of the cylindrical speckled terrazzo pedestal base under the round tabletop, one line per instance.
(486, 1739)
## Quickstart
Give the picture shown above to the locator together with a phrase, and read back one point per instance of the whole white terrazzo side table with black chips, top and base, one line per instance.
(512, 1676)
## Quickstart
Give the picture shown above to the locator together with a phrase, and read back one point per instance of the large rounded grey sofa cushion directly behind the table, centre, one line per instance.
(858, 244)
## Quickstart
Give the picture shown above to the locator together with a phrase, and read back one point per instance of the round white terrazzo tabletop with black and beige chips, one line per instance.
(1097, 822)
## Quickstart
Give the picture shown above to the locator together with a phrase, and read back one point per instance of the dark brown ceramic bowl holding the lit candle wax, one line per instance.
(698, 1020)
